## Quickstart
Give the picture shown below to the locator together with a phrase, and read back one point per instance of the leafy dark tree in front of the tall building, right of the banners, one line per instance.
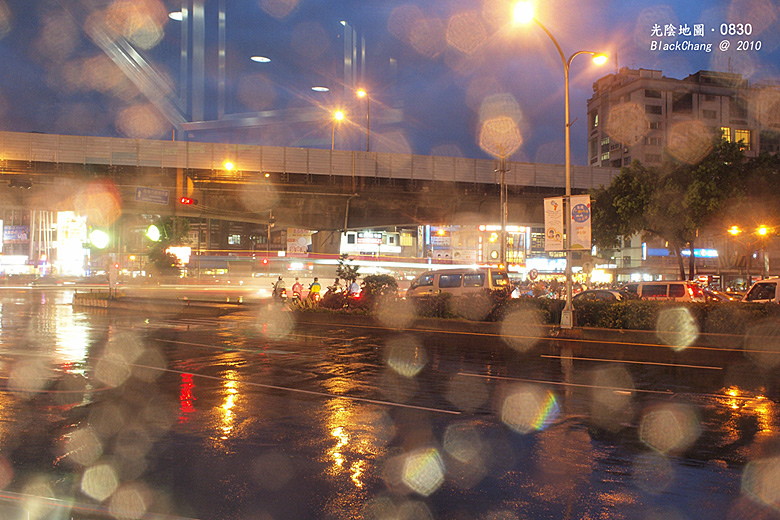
(672, 202)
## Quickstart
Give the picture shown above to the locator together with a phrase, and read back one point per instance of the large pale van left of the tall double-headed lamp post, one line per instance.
(459, 282)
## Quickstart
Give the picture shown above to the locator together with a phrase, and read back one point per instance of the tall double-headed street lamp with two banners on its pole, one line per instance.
(523, 13)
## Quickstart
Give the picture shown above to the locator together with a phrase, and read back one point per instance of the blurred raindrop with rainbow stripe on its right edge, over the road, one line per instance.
(528, 408)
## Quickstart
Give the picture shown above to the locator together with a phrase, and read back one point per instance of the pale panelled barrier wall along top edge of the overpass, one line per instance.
(112, 151)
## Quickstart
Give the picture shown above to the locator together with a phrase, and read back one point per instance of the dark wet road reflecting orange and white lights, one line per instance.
(259, 415)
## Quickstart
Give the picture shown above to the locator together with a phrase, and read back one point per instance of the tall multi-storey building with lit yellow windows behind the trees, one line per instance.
(643, 115)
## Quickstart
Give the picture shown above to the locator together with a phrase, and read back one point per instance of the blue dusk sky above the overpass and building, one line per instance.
(451, 57)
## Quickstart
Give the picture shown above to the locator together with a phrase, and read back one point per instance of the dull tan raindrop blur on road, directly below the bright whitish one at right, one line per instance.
(669, 428)
